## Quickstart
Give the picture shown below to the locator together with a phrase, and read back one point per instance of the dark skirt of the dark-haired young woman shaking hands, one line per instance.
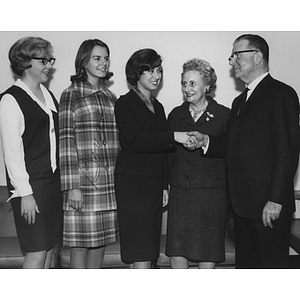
(139, 202)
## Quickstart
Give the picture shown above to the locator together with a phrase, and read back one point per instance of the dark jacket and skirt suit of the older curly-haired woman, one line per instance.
(198, 203)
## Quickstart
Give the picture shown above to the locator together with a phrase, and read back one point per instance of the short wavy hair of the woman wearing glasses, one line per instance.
(22, 50)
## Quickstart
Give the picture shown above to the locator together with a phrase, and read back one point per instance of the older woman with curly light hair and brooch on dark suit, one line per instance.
(197, 204)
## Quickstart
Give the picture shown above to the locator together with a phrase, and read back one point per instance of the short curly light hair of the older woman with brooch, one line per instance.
(205, 69)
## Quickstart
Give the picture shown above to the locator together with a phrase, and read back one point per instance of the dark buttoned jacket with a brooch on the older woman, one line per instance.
(188, 169)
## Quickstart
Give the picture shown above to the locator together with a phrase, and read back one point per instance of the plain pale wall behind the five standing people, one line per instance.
(174, 46)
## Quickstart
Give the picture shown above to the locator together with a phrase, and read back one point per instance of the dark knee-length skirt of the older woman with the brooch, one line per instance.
(196, 224)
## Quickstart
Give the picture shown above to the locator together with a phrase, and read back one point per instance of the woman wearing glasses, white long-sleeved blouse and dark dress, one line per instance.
(29, 137)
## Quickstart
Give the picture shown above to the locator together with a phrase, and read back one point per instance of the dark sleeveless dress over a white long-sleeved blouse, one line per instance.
(46, 232)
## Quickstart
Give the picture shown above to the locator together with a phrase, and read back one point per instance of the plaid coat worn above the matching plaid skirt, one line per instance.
(89, 145)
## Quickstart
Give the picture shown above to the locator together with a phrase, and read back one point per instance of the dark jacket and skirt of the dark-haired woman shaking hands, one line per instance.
(141, 176)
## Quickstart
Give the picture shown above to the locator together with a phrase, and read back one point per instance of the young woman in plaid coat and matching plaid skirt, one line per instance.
(89, 145)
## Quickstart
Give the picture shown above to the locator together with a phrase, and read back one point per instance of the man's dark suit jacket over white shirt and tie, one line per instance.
(261, 146)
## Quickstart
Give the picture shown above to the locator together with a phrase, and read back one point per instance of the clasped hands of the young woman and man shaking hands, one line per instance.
(191, 140)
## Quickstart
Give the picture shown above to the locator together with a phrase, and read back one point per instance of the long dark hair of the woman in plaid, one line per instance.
(83, 57)
